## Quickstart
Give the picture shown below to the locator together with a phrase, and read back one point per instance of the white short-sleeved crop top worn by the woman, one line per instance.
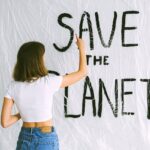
(34, 100)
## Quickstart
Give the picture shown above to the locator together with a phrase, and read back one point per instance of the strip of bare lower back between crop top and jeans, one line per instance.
(38, 124)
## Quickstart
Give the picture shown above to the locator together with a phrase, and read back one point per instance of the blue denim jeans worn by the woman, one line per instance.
(35, 139)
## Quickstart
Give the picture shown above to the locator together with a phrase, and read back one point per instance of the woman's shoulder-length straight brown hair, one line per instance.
(30, 62)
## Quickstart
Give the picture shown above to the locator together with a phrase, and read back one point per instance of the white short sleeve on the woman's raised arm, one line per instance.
(55, 82)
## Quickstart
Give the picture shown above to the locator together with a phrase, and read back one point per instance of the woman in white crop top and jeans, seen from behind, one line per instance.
(32, 91)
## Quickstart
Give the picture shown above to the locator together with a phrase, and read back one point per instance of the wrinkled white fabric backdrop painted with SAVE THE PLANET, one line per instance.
(109, 108)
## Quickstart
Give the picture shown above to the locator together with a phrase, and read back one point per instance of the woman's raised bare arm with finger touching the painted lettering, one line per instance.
(82, 71)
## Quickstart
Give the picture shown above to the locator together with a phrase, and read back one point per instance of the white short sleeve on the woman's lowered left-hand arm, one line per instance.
(9, 91)
